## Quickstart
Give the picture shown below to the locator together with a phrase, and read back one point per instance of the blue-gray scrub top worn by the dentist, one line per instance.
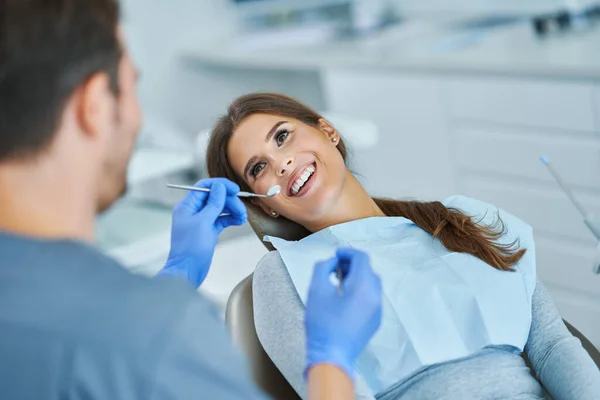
(76, 325)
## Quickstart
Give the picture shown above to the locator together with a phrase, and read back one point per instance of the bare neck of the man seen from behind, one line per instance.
(45, 199)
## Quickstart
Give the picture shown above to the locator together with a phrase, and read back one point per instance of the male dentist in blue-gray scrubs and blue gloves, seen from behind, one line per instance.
(74, 324)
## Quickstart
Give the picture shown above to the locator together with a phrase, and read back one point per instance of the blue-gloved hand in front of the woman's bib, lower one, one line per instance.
(340, 325)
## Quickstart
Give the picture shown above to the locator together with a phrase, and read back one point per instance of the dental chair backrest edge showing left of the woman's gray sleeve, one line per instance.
(240, 320)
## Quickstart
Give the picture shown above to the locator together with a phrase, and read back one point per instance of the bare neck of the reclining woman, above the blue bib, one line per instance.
(354, 203)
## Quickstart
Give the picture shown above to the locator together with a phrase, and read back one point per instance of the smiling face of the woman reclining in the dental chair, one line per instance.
(267, 150)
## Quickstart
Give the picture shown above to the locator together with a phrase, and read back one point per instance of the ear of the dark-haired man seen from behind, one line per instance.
(95, 106)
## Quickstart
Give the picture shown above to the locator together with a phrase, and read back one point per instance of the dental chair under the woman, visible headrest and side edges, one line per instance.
(240, 313)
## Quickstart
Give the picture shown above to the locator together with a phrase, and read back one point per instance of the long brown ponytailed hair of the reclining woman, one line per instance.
(457, 231)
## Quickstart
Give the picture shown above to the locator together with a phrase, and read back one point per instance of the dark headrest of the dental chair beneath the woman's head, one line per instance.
(263, 225)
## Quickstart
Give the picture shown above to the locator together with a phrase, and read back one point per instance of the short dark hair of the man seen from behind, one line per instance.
(47, 49)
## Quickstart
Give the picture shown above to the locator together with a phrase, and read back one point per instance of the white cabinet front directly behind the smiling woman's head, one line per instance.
(412, 158)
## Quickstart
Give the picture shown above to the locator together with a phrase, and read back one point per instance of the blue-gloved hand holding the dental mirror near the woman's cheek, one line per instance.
(196, 227)
